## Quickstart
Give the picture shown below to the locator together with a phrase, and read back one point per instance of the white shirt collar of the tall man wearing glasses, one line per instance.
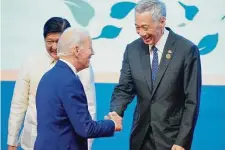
(162, 41)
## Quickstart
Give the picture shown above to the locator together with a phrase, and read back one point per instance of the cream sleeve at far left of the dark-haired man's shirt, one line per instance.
(19, 105)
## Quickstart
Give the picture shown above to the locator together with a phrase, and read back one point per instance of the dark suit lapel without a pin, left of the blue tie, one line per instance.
(145, 63)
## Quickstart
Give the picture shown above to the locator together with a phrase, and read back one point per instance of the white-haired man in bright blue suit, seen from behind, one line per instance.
(63, 119)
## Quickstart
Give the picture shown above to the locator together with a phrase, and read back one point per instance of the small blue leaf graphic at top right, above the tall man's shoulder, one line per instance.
(190, 11)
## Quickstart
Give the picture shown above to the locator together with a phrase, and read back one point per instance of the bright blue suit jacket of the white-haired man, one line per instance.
(64, 122)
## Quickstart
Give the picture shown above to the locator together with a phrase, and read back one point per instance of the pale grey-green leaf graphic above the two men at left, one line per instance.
(81, 10)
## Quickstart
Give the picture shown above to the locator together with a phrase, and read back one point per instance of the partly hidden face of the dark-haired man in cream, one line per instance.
(51, 42)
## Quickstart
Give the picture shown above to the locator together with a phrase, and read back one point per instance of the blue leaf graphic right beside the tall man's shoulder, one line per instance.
(208, 43)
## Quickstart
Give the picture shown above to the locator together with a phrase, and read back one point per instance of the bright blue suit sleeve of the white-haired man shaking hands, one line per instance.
(75, 104)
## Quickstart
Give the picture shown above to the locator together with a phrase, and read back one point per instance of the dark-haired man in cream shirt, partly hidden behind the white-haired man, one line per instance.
(23, 102)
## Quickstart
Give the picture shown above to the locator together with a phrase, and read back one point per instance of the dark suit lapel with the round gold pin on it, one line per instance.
(167, 56)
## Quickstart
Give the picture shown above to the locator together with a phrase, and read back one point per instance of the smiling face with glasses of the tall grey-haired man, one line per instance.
(150, 31)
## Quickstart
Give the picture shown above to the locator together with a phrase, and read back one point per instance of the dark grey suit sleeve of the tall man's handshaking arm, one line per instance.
(124, 92)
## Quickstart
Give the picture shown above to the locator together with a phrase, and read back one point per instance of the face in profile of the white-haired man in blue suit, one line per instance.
(85, 53)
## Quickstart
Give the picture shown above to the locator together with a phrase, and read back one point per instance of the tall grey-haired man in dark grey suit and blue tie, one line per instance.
(163, 70)
